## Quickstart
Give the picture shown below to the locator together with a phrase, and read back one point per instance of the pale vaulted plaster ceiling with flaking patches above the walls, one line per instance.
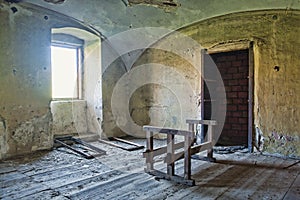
(113, 16)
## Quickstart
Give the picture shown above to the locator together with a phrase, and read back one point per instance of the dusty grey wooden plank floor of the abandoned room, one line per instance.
(61, 174)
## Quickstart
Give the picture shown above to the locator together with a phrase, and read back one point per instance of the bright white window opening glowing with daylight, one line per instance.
(64, 72)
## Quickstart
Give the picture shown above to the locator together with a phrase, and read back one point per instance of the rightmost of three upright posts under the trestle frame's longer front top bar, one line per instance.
(187, 157)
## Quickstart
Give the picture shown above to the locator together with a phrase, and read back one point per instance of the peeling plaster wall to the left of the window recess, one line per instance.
(25, 78)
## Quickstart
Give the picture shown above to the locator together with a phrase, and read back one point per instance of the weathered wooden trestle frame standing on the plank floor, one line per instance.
(172, 157)
